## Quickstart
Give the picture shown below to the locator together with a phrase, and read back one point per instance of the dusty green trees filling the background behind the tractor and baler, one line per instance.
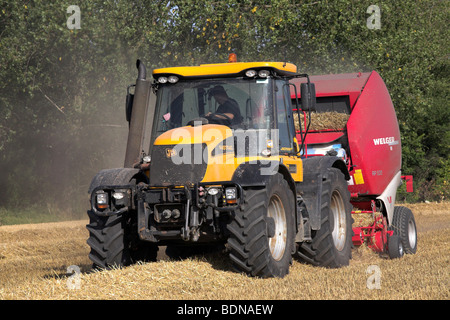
(62, 91)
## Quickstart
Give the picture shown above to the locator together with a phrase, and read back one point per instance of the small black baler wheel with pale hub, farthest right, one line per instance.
(404, 226)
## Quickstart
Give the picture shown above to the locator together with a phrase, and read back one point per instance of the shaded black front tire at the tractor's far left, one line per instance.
(114, 242)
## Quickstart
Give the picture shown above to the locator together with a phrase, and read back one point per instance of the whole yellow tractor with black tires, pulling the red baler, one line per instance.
(224, 166)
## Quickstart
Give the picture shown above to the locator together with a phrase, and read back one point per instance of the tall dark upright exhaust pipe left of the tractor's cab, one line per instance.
(140, 103)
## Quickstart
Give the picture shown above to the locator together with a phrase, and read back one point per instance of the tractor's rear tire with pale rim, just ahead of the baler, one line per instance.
(331, 245)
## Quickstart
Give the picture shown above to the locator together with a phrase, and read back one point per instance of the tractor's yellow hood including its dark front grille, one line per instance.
(189, 155)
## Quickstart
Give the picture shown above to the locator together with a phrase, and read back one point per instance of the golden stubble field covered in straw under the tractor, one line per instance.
(50, 261)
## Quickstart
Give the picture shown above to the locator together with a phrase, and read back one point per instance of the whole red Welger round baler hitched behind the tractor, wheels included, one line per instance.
(370, 144)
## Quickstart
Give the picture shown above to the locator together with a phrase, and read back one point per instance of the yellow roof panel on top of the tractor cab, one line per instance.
(205, 70)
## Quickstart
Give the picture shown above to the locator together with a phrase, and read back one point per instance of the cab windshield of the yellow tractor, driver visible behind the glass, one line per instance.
(237, 103)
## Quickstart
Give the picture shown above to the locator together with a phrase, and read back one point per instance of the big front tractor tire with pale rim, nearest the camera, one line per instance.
(262, 232)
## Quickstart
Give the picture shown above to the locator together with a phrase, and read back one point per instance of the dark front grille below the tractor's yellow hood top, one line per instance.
(178, 164)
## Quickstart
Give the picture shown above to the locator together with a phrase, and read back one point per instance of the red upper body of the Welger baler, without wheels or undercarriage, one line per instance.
(371, 136)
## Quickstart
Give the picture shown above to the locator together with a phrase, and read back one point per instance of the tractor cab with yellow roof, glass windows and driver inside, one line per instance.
(242, 96)
